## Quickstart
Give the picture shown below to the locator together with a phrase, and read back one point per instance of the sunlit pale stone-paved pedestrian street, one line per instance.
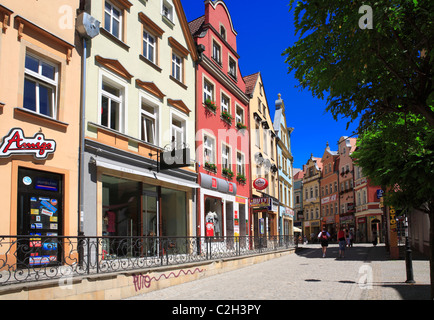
(365, 273)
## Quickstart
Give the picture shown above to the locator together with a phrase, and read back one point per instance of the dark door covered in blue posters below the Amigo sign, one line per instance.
(40, 216)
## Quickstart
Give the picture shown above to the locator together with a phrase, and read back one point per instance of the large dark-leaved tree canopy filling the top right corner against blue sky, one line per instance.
(366, 63)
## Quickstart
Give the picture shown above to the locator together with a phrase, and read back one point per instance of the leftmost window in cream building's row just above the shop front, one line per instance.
(111, 104)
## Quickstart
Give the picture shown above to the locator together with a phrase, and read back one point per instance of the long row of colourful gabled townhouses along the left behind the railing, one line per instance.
(120, 118)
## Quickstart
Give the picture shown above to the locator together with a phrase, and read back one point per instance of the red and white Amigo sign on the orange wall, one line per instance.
(15, 143)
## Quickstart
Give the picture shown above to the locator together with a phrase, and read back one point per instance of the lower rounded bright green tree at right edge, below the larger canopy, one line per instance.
(398, 154)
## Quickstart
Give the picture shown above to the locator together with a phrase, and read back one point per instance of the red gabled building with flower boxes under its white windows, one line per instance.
(222, 138)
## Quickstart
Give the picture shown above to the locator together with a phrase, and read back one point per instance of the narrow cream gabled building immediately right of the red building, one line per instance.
(263, 155)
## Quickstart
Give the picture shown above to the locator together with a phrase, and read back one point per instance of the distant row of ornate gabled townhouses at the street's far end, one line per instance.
(332, 192)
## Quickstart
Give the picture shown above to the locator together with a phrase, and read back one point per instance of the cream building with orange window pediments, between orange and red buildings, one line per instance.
(140, 102)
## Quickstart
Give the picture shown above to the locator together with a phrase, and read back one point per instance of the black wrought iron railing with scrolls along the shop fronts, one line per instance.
(37, 258)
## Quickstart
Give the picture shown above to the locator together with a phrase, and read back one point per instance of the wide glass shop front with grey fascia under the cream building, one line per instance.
(132, 199)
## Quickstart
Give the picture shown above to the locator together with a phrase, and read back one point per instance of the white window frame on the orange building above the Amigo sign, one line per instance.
(39, 80)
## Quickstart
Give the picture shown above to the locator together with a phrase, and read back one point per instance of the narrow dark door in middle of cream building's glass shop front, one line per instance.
(150, 223)
